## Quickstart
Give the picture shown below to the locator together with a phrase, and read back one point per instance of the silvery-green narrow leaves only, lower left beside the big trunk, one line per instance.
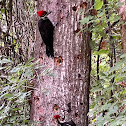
(14, 82)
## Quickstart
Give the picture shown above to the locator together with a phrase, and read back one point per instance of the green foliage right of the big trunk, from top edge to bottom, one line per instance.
(108, 75)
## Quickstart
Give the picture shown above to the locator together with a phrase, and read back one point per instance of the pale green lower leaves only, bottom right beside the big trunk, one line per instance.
(107, 108)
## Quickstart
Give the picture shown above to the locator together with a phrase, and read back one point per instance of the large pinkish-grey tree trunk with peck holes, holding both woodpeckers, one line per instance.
(67, 93)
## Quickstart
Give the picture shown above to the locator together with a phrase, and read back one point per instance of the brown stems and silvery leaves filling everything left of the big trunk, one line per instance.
(17, 32)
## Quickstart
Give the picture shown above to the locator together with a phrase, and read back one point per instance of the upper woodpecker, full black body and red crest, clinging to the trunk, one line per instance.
(46, 29)
